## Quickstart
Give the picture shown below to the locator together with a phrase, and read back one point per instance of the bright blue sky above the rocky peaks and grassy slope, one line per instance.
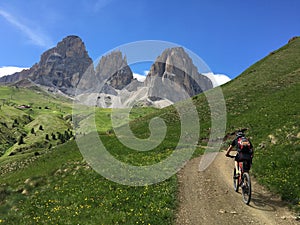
(228, 35)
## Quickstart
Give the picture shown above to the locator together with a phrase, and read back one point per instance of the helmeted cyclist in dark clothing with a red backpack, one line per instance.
(235, 144)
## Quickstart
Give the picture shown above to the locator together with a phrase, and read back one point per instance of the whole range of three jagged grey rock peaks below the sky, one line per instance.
(67, 68)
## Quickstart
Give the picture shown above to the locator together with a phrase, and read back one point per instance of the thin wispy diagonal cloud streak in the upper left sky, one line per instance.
(35, 36)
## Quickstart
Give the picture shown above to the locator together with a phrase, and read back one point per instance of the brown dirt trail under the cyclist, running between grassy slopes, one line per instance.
(209, 198)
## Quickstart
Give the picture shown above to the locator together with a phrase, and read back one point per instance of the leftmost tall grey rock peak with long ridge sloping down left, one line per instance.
(61, 67)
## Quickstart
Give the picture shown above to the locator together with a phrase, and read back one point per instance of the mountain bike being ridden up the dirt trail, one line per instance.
(243, 180)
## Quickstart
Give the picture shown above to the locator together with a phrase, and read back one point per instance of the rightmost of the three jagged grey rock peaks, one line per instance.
(174, 76)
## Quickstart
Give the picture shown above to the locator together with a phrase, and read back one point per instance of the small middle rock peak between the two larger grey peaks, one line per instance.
(113, 70)
